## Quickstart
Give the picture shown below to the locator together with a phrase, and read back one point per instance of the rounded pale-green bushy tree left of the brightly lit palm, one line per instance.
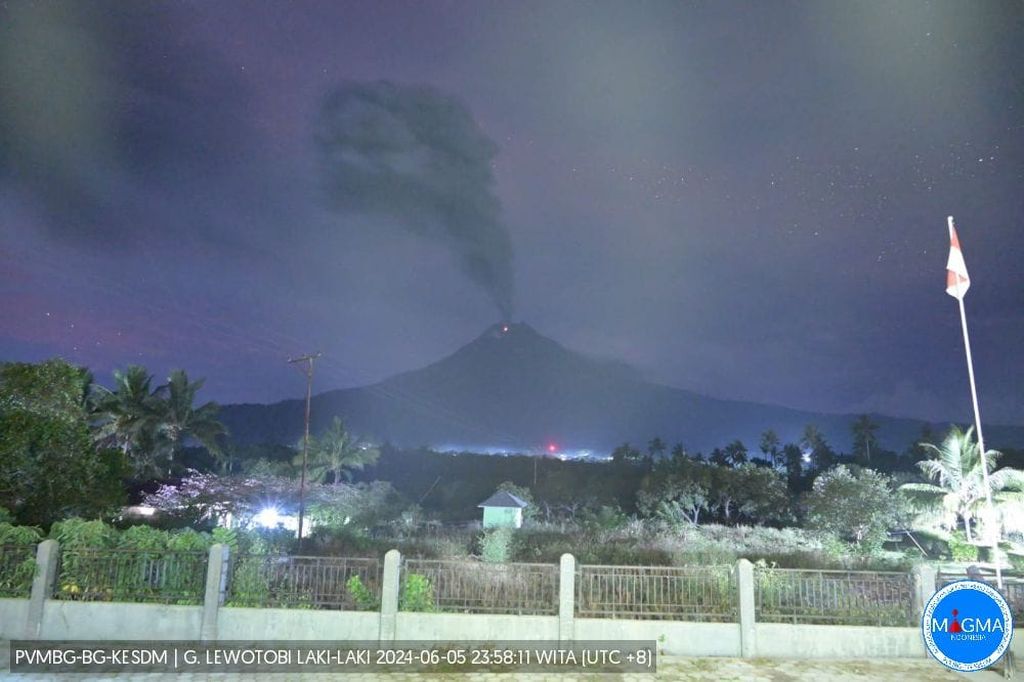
(861, 506)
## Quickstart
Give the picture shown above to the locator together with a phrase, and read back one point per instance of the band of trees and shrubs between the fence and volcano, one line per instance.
(70, 448)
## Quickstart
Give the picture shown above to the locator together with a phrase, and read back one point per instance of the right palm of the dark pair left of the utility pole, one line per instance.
(180, 420)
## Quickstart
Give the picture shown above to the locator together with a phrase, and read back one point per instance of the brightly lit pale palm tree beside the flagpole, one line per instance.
(959, 488)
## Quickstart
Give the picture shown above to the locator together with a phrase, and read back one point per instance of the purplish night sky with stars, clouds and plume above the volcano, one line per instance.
(747, 200)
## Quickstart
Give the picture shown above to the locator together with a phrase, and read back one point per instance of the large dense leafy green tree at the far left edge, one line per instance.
(50, 466)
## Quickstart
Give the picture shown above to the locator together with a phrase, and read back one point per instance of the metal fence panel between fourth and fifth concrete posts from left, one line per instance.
(658, 593)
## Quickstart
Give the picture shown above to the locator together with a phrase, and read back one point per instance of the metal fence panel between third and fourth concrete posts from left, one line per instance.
(473, 587)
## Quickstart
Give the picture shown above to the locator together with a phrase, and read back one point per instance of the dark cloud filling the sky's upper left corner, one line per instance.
(105, 108)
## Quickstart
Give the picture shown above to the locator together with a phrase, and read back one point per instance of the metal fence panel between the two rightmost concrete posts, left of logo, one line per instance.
(834, 598)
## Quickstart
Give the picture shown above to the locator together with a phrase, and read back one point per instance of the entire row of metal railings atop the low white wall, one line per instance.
(664, 593)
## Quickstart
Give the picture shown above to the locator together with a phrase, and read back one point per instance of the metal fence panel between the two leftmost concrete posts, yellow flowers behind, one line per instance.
(142, 576)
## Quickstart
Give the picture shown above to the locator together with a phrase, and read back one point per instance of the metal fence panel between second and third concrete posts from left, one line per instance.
(305, 582)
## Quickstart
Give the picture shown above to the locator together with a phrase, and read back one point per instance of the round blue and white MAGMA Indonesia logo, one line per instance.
(967, 626)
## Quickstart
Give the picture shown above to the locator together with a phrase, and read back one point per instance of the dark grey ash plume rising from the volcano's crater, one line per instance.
(416, 155)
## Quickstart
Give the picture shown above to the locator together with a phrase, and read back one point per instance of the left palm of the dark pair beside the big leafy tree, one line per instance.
(127, 415)
